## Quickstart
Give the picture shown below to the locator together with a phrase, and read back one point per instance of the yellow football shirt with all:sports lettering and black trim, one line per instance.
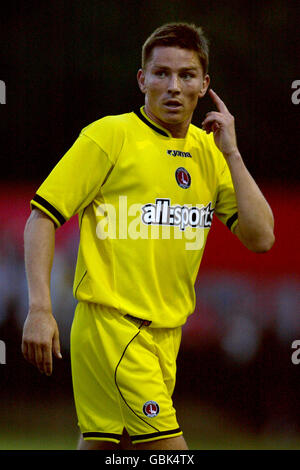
(145, 202)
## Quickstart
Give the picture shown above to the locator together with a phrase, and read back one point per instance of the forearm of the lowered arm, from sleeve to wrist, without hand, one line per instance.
(39, 243)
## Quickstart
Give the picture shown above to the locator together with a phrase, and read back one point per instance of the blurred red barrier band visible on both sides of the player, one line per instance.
(223, 251)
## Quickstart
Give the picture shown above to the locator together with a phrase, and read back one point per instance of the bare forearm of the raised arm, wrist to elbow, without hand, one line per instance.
(255, 219)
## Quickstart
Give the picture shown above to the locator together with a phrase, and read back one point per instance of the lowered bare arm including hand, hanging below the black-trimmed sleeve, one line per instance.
(40, 332)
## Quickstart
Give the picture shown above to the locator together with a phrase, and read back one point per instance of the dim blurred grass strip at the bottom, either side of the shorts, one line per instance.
(53, 426)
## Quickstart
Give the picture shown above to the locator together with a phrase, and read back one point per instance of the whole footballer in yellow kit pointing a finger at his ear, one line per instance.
(134, 293)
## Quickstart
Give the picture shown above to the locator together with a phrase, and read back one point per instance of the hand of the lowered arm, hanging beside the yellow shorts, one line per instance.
(41, 339)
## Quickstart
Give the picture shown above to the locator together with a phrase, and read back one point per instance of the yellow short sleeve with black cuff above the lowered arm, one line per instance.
(74, 182)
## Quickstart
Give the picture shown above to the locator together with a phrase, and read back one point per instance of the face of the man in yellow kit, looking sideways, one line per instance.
(173, 81)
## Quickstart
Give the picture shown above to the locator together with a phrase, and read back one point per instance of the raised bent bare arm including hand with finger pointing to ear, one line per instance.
(255, 227)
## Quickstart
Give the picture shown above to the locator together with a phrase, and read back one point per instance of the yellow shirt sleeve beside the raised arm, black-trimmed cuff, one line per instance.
(226, 206)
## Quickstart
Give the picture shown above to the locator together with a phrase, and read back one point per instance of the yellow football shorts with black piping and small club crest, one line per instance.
(123, 374)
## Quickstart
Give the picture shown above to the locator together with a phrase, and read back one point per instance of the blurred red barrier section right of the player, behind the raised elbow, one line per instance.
(223, 251)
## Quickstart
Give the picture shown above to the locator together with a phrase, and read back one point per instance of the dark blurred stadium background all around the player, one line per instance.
(68, 63)
